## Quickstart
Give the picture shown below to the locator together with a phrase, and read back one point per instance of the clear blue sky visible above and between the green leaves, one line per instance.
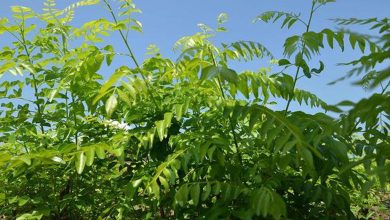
(166, 21)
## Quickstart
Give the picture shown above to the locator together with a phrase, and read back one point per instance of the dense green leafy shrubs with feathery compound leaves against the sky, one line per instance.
(188, 138)
